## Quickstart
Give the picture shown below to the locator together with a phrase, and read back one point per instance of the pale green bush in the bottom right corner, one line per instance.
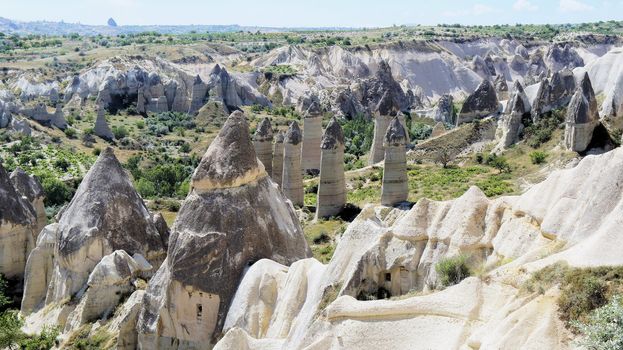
(603, 329)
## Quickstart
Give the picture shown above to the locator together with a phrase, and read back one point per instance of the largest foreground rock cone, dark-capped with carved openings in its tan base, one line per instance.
(233, 217)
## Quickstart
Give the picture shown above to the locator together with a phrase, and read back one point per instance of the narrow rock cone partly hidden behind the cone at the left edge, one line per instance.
(29, 187)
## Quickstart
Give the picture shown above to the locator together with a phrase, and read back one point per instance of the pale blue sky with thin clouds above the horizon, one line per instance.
(313, 13)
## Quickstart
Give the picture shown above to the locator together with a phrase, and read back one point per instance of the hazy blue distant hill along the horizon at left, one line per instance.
(9, 26)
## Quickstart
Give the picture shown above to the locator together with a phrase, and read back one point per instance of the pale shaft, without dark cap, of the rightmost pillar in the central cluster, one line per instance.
(332, 188)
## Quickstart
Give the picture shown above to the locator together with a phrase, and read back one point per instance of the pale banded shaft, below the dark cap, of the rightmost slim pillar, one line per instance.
(395, 188)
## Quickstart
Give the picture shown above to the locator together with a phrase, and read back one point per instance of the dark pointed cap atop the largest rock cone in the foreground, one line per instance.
(230, 156)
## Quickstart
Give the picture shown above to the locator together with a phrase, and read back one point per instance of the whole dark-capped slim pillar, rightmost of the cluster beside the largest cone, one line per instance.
(331, 186)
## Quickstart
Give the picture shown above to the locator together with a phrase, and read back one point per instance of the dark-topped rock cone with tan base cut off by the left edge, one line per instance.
(18, 224)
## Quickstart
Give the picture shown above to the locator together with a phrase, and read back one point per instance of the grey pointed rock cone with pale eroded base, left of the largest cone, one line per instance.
(84, 265)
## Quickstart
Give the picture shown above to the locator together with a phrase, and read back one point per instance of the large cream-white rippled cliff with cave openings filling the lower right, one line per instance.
(573, 216)
